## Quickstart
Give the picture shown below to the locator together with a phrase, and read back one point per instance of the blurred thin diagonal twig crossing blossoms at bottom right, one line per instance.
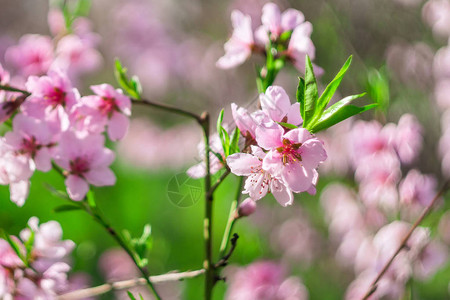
(373, 286)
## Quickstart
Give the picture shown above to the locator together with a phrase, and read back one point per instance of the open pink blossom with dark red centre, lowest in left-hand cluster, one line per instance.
(86, 161)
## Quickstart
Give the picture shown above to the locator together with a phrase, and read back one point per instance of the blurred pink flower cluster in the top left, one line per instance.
(72, 50)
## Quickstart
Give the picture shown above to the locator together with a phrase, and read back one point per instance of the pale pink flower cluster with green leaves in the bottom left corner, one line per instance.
(34, 265)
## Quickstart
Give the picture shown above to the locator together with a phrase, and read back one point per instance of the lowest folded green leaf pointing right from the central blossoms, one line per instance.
(339, 112)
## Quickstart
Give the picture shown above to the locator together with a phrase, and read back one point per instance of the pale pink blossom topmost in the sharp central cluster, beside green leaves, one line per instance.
(276, 104)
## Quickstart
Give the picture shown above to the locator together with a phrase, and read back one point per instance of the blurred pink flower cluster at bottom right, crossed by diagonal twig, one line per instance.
(366, 241)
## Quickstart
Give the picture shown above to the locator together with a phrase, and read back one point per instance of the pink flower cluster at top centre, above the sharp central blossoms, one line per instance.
(288, 32)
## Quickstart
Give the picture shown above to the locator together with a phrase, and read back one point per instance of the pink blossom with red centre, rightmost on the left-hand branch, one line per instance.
(114, 107)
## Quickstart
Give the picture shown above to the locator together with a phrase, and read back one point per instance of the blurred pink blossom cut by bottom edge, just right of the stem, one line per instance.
(264, 280)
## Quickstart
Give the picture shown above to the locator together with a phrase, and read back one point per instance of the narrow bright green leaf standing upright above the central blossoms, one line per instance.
(311, 93)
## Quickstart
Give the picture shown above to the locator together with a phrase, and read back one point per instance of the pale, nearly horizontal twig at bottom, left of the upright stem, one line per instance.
(126, 284)
